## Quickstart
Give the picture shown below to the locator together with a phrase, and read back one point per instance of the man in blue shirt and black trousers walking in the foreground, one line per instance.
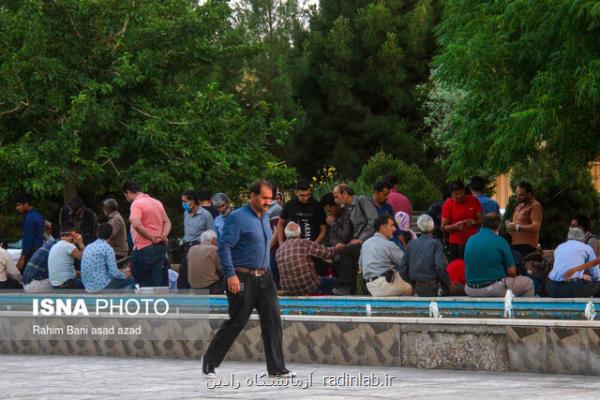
(244, 254)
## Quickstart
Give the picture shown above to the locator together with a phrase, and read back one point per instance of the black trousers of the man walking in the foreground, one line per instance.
(260, 293)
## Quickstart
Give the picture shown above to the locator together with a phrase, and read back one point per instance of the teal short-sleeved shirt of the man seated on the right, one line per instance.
(487, 257)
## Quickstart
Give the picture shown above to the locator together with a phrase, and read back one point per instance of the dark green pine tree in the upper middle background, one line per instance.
(362, 61)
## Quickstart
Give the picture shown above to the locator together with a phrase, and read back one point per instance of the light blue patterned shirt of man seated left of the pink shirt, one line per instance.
(99, 266)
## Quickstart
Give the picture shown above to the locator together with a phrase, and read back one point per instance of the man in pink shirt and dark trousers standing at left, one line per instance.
(150, 227)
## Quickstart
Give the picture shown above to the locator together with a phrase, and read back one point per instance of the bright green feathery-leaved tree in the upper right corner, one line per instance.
(528, 79)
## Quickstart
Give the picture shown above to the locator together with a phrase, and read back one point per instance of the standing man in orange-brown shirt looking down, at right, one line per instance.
(527, 219)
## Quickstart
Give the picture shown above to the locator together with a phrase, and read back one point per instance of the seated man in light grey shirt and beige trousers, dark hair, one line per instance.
(381, 261)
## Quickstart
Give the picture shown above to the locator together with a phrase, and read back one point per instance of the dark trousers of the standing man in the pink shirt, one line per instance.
(147, 265)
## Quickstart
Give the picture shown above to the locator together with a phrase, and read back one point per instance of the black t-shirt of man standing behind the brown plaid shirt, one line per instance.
(308, 216)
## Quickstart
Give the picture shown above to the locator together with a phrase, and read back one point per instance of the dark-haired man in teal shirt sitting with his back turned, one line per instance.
(490, 265)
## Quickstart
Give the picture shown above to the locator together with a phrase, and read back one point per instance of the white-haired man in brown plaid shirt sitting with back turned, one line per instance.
(297, 272)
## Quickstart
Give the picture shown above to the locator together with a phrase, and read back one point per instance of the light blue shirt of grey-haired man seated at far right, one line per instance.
(571, 254)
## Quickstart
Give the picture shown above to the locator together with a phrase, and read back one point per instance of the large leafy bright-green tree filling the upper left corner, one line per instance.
(93, 92)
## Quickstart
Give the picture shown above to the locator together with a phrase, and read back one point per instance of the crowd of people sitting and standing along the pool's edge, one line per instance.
(340, 244)
